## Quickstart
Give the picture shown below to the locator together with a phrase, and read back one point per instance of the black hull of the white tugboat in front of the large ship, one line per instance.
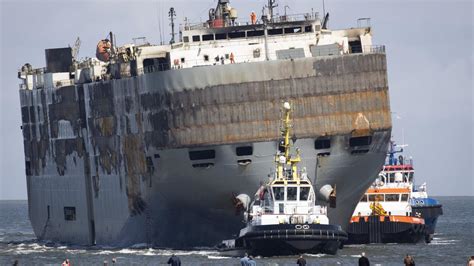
(291, 239)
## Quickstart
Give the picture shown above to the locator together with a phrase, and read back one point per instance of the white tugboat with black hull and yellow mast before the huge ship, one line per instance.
(283, 219)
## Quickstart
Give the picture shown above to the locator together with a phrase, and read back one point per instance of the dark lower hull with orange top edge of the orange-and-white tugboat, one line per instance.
(382, 229)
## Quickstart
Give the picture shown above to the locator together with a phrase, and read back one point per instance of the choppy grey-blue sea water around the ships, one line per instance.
(452, 244)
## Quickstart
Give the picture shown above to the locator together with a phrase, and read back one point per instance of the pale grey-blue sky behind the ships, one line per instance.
(429, 52)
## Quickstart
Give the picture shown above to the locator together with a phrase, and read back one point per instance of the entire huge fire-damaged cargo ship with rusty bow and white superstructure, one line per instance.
(134, 147)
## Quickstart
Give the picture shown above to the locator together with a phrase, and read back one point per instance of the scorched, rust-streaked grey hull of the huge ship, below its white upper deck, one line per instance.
(108, 163)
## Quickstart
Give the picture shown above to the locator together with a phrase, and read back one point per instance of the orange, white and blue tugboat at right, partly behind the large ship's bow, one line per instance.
(391, 210)
